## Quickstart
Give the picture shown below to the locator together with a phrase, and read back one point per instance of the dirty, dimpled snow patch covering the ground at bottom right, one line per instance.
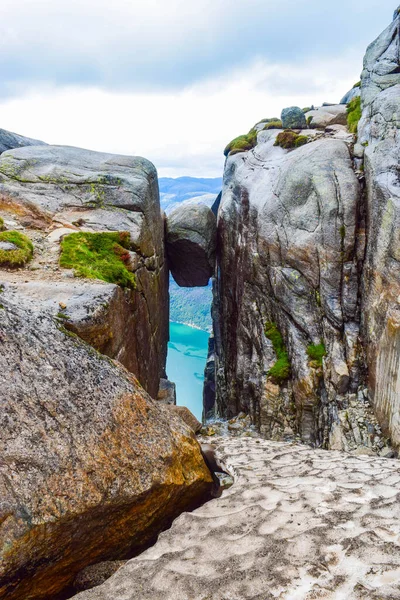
(297, 523)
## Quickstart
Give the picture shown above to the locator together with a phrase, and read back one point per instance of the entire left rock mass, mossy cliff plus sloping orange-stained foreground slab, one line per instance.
(92, 468)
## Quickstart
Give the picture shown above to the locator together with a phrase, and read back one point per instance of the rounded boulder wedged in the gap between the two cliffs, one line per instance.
(191, 242)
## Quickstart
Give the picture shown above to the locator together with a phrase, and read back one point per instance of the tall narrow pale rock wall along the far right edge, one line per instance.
(379, 131)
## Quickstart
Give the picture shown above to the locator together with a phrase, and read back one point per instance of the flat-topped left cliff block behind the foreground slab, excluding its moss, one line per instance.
(50, 191)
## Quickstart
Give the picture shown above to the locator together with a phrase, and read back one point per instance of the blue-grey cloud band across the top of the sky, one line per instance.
(132, 47)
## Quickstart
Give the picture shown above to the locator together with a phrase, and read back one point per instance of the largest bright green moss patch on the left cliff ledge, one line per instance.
(102, 256)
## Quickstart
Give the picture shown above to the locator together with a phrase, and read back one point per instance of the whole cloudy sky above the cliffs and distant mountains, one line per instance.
(174, 80)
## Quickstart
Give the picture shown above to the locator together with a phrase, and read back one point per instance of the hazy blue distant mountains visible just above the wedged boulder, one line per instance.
(193, 190)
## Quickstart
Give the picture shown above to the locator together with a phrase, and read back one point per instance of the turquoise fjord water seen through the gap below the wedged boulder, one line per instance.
(187, 355)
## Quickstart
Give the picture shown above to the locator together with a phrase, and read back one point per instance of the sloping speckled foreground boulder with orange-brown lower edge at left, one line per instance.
(91, 467)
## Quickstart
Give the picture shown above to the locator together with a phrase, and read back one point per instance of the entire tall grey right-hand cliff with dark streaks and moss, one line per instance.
(305, 303)
